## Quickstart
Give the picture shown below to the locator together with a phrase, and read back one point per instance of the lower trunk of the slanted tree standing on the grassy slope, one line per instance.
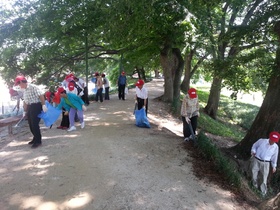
(214, 97)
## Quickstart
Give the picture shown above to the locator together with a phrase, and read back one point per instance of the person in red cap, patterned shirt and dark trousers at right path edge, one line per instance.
(190, 113)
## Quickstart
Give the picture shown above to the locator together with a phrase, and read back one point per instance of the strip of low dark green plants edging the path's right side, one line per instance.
(222, 164)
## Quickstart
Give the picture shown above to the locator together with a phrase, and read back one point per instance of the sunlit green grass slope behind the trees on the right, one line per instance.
(233, 120)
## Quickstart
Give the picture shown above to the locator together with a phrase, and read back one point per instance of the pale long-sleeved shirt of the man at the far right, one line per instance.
(265, 151)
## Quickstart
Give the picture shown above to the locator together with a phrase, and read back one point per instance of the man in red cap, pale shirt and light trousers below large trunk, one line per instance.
(264, 153)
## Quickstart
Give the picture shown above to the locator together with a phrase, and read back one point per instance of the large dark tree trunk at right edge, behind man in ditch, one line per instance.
(268, 117)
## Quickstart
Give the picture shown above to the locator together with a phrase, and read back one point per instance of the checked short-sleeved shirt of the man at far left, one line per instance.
(32, 94)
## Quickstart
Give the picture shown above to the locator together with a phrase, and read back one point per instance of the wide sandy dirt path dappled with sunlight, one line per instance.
(110, 165)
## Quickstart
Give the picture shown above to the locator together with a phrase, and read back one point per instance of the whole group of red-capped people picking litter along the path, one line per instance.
(264, 151)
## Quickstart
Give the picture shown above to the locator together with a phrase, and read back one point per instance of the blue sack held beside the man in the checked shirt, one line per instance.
(51, 116)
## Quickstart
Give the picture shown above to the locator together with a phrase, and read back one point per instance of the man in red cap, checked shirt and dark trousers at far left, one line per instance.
(33, 104)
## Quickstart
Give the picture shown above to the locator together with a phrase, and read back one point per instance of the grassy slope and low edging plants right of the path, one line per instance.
(234, 118)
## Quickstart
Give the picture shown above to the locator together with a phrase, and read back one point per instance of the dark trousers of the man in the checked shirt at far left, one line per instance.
(33, 121)
